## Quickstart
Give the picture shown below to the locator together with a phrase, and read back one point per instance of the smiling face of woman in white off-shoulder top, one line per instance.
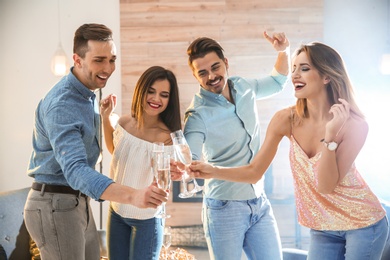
(157, 97)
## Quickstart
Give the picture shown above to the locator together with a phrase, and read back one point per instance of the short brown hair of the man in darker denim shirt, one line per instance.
(86, 32)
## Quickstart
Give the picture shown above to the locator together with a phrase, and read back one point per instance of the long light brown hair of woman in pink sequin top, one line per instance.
(329, 63)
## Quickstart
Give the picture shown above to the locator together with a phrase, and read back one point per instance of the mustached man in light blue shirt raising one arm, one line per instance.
(221, 125)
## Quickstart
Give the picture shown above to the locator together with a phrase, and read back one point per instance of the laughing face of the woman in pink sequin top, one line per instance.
(306, 79)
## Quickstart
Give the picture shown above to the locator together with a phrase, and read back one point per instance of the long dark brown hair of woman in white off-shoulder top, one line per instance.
(171, 115)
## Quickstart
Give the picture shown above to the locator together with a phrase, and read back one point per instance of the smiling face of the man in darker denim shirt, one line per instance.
(98, 64)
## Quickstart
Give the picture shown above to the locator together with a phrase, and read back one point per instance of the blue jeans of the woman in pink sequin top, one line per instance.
(362, 244)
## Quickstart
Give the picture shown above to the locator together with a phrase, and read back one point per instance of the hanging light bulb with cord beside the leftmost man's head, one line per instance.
(59, 62)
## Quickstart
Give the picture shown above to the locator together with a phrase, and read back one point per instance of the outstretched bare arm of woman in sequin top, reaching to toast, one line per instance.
(253, 172)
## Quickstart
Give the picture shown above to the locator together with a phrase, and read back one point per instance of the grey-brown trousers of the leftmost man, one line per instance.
(62, 226)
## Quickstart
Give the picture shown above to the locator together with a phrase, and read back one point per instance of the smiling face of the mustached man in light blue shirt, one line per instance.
(211, 72)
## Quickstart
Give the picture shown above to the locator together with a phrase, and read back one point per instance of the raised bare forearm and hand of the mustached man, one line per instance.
(281, 44)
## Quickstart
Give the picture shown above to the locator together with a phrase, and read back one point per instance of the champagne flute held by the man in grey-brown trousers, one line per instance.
(163, 177)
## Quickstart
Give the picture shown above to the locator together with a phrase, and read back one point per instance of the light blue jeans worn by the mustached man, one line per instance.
(234, 225)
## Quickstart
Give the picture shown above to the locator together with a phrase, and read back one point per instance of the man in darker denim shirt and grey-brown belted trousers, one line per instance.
(65, 151)
